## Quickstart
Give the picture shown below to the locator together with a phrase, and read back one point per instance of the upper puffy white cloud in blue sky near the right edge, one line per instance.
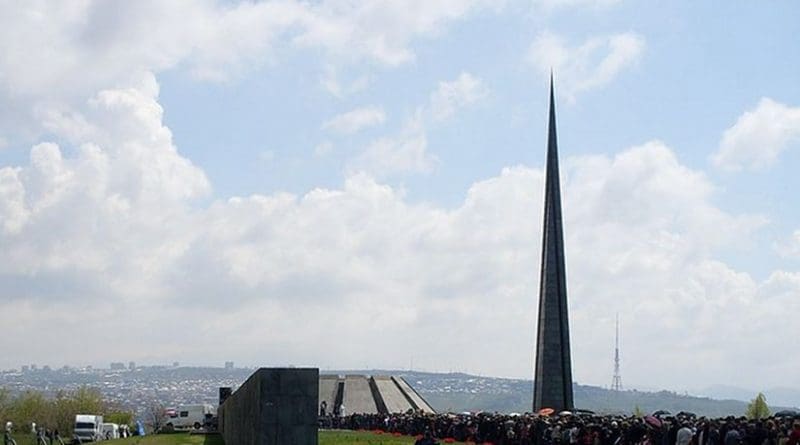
(758, 137)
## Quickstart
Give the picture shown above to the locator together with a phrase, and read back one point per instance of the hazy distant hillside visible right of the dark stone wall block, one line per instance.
(458, 392)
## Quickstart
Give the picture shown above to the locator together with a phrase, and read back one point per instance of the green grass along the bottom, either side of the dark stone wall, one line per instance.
(325, 438)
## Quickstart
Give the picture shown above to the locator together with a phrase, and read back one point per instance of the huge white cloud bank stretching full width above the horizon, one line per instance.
(266, 271)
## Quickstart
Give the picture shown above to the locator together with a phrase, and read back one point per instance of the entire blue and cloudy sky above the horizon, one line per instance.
(352, 184)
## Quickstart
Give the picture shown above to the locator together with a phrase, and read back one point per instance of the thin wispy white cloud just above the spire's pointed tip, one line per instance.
(591, 65)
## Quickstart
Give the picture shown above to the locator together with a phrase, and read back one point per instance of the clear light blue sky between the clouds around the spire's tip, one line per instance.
(700, 68)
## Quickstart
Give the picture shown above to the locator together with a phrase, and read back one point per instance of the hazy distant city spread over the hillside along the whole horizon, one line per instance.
(133, 387)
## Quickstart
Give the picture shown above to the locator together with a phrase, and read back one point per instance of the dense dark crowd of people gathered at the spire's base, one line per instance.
(576, 429)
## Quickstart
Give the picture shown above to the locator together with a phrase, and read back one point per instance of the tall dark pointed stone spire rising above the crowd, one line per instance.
(552, 386)
